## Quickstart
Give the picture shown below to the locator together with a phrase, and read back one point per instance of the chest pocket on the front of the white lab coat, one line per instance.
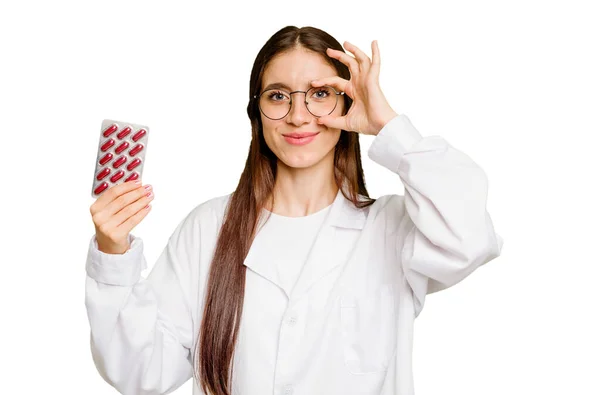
(367, 330)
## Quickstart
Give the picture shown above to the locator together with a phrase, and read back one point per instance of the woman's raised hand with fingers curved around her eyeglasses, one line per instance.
(370, 110)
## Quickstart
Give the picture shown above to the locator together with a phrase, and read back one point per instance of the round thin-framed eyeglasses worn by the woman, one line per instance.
(277, 103)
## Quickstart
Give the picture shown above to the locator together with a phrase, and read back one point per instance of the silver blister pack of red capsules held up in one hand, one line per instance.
(121, 154)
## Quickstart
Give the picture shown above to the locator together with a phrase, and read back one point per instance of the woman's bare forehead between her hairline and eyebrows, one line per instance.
(296, 69)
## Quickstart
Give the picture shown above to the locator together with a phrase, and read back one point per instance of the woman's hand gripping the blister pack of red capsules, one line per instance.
(118, 210)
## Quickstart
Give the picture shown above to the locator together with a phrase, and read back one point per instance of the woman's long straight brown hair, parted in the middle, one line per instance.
(227, 277)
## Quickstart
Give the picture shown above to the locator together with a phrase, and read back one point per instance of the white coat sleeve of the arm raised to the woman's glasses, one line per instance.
(448, 232)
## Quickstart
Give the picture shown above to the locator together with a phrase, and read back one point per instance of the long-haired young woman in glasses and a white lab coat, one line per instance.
(297, 282)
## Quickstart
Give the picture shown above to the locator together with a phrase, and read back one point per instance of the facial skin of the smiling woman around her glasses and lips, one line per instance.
(296, 69)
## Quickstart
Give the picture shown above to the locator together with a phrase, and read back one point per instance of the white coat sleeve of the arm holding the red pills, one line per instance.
(141, 329)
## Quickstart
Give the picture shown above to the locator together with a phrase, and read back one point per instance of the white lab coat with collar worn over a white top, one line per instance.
(347, 327)
